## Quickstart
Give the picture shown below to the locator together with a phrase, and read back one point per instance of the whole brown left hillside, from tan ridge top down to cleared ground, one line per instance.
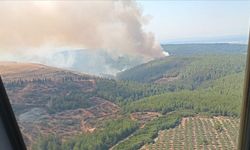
(30, 88)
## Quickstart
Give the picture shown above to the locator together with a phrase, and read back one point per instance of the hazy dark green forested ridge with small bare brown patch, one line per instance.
(185, 72)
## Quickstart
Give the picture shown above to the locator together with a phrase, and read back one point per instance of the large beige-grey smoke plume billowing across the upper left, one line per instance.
(116, 26)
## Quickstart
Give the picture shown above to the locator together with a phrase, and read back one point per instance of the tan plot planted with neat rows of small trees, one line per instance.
(199, 133)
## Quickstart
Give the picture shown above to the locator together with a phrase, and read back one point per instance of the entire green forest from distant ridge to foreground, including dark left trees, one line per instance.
(174, 87)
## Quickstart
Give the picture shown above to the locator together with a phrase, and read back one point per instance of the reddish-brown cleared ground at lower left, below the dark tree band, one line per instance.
(69, 123)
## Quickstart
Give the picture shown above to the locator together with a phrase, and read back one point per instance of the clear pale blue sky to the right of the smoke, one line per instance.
(196, 20)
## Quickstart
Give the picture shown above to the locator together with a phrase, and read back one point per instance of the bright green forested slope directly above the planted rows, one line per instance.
(219, 97)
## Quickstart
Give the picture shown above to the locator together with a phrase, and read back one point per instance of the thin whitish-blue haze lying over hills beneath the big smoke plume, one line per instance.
(96, 62)
